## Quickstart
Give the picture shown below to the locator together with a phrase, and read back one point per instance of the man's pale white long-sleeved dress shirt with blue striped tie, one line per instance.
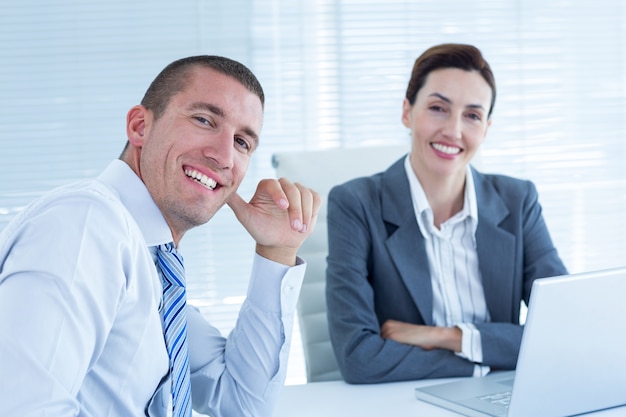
(80, 331)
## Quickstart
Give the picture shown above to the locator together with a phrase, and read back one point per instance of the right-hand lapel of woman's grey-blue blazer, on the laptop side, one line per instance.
(496, 251)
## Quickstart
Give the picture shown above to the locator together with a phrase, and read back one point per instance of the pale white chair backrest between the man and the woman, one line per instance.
(321, 170)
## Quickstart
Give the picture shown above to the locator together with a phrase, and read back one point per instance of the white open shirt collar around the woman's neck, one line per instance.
(423, 212)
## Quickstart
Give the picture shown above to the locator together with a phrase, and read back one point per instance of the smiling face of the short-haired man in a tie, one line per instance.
(194, 157)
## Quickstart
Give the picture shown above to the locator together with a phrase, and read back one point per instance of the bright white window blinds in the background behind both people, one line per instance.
(334, 77)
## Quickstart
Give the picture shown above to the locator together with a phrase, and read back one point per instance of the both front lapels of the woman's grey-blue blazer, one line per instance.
(495, 245)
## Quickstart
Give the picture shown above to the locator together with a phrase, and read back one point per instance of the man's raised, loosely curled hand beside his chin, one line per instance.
(280, 215)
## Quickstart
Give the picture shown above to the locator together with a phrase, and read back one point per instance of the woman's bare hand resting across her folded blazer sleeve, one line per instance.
(426, 337)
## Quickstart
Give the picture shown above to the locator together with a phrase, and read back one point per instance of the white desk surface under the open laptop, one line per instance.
(338, 399)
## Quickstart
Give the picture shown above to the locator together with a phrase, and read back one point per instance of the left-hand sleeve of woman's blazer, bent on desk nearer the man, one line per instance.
(355, 228)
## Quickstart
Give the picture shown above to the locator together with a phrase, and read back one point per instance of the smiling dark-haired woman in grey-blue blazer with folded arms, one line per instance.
(428, 261)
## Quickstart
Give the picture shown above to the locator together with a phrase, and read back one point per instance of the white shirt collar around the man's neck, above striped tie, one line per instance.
(138, 201)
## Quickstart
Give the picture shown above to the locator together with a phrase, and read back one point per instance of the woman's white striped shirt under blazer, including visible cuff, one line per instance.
(458, 295)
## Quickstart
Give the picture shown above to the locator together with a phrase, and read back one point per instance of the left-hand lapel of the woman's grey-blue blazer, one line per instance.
(405, 242)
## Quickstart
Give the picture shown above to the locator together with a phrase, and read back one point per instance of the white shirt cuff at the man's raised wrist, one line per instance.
(275, 287)
